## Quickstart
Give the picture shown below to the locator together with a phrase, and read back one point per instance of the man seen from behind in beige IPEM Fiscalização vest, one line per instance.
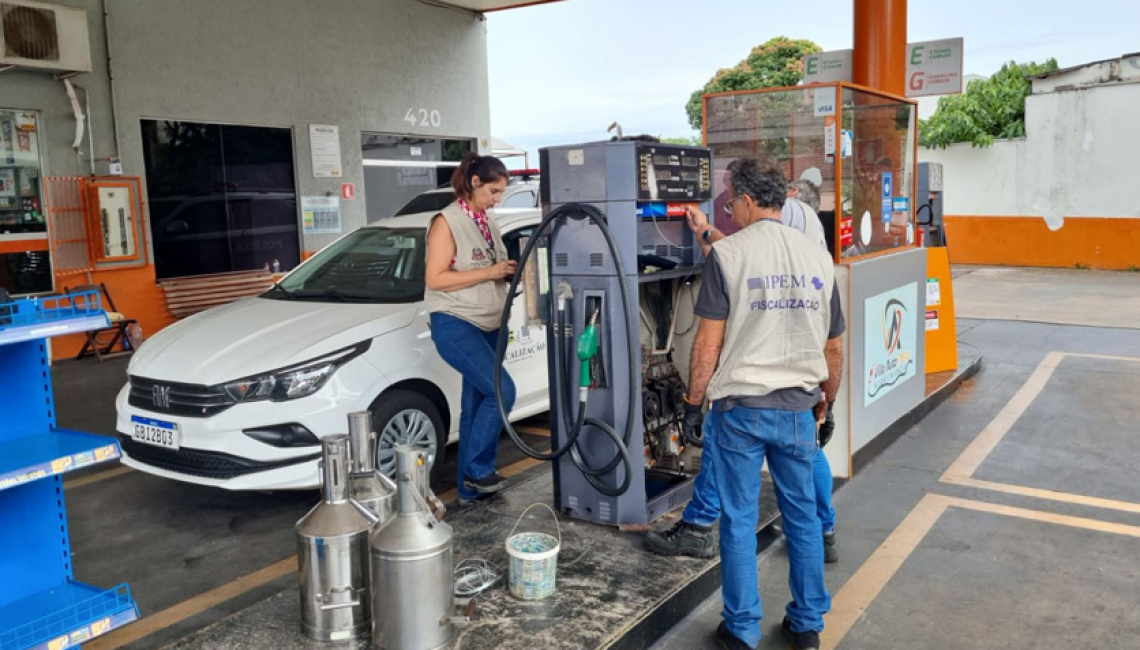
(768, 356)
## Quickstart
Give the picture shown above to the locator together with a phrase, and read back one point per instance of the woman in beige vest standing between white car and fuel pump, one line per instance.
(468, 270)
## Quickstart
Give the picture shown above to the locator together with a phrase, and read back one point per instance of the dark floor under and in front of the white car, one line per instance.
(175, 542)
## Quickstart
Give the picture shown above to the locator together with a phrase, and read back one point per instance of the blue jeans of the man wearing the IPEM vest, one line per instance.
(742, 440)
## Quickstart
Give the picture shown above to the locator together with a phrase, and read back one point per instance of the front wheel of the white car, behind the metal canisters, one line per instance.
(408, 418)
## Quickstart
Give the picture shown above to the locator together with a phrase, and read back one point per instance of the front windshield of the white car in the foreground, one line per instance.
(372, 265)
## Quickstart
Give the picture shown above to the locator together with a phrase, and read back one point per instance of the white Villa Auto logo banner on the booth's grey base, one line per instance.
(890, 342)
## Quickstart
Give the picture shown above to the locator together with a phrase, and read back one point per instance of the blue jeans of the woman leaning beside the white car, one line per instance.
(471, 352)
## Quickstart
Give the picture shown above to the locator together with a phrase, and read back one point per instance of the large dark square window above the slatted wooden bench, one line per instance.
(223, 198)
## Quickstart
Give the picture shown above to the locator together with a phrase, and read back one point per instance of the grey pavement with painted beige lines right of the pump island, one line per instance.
(1008, 518)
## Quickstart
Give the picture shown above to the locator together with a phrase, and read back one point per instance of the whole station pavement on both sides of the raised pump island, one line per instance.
(1008, 518)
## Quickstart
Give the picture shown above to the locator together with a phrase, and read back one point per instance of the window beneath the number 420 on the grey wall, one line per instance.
(397, 169)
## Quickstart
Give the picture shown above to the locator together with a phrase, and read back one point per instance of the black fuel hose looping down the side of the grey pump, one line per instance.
(575, 210)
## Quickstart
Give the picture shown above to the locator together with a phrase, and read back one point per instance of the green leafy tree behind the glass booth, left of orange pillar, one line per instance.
(777, 63)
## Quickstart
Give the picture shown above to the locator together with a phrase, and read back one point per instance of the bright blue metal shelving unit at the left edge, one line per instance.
(43, 607)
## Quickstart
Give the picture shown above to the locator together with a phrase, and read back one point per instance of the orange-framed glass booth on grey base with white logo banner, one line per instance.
(860, 148)
